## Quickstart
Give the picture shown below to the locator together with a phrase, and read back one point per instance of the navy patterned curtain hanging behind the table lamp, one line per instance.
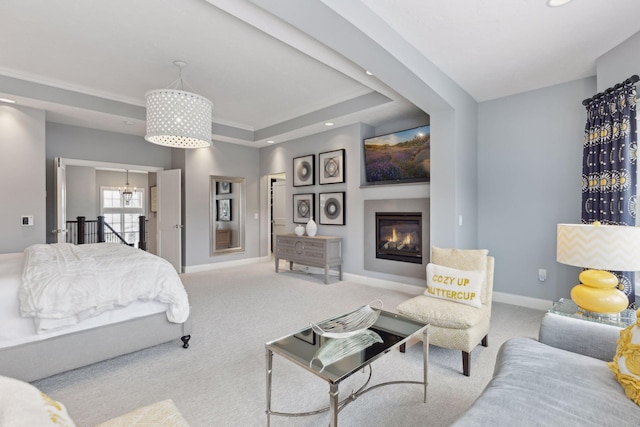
(609, 163)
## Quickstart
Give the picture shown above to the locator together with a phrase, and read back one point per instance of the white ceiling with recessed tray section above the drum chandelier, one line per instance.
(89, 63)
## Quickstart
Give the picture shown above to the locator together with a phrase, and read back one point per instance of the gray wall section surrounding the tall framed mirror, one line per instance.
(222, 159)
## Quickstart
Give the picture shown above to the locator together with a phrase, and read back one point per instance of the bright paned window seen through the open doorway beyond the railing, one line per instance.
(120, 216)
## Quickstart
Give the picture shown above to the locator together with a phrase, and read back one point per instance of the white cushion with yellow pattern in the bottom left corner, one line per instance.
(24, 405)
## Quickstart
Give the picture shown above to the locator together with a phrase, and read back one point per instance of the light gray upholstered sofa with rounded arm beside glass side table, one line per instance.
(560, 380)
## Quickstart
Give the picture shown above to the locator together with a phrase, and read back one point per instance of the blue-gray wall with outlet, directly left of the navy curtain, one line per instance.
(530, 177)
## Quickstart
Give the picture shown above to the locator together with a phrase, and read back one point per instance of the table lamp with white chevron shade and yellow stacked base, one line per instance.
(599, 247)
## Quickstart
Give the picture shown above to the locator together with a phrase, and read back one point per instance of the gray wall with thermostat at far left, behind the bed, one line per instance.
(22, 176)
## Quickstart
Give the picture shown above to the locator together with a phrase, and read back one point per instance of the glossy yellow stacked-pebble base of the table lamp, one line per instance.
(598, 293)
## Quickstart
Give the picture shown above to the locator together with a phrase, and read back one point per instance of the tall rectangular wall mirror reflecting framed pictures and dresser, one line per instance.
(227, 214)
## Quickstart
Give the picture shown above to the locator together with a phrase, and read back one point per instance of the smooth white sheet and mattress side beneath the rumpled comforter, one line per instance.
(16, 330)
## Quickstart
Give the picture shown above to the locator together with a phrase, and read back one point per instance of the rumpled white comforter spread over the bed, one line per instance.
(63, 284)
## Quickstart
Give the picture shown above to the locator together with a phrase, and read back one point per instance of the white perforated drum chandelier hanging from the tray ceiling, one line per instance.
(177, 118)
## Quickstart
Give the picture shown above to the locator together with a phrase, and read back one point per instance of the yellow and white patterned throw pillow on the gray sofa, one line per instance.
(626, 363)
